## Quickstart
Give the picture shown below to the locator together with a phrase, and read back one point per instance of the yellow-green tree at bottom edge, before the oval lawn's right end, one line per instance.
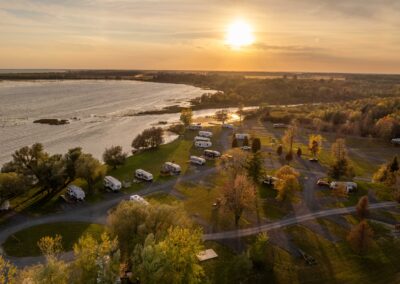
(95, 261)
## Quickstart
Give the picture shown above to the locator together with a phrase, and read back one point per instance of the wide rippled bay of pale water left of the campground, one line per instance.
(100, 112)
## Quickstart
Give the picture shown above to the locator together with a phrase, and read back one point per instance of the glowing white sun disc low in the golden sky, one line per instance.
(239, 34)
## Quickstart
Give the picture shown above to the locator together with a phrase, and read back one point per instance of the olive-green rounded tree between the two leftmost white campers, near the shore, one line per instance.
(91, 170)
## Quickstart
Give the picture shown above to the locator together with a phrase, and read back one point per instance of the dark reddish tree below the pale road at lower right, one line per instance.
(360, 237)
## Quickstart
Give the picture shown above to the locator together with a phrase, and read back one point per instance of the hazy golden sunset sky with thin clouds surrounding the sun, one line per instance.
(289, 35)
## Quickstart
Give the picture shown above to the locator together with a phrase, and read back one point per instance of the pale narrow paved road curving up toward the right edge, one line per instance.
(291, 221)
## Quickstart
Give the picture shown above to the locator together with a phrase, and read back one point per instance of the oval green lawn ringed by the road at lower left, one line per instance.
(24, 243)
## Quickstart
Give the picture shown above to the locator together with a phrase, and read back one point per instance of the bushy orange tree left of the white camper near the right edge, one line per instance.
(287, 183)
